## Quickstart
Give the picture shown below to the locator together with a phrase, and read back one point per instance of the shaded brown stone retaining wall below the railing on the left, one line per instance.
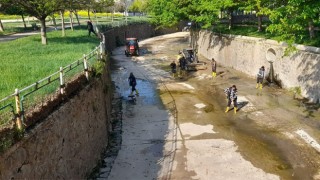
(68, 143)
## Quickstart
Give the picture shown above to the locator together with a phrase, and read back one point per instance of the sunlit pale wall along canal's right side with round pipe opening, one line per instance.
(248, 54)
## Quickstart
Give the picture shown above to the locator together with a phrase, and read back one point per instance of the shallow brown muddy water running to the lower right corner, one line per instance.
(265, 149)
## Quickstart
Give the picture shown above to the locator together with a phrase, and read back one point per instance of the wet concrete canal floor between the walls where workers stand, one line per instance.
(177, 128)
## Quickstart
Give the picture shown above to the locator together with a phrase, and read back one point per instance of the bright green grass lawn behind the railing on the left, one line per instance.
(25, 61)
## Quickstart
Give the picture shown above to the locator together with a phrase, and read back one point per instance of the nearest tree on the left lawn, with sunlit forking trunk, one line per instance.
(39, 9)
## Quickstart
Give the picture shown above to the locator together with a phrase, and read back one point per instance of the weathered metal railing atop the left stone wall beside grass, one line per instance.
(13, 106)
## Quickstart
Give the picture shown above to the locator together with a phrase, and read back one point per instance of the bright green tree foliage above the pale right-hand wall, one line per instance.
(289, 19)
